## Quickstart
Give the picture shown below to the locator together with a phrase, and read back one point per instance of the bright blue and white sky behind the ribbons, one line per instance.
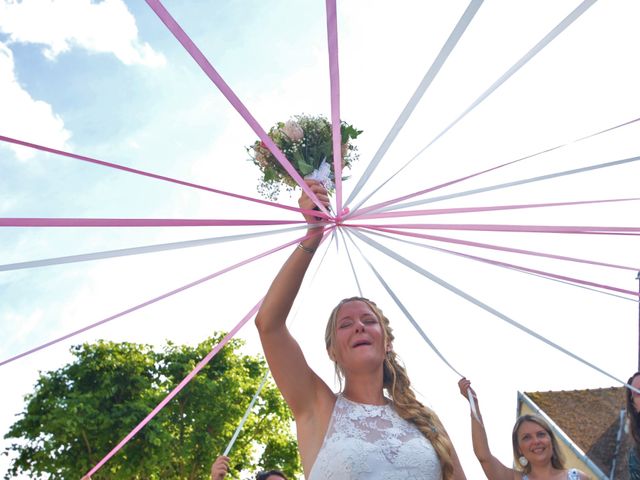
(108, 80)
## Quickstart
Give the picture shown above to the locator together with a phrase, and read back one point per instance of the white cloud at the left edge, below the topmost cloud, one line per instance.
(23, 115)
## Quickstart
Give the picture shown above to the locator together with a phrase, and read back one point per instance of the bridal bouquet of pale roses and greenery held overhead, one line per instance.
(307, 143)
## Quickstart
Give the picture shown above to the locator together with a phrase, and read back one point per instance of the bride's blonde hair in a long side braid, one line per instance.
(398, 386)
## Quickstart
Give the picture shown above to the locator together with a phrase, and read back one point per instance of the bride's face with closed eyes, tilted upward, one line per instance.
(356, 339)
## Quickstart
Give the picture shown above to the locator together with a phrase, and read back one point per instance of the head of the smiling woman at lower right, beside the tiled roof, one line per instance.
(533, 439)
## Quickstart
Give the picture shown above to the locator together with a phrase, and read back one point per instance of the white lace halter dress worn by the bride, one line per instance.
(373, 442)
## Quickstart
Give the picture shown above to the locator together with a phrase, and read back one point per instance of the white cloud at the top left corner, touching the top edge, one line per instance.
(105, 27)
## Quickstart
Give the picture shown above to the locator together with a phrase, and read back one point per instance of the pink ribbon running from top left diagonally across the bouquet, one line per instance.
(233, 99)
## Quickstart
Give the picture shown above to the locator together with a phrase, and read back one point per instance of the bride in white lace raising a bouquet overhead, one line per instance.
(359, 433)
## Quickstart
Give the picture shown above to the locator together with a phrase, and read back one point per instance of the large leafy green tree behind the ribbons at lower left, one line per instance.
(79, 412)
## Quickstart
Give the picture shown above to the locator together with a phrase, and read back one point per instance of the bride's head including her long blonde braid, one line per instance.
(356, 323)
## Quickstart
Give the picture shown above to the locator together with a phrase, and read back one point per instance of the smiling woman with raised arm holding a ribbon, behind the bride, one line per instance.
(535, 449)
